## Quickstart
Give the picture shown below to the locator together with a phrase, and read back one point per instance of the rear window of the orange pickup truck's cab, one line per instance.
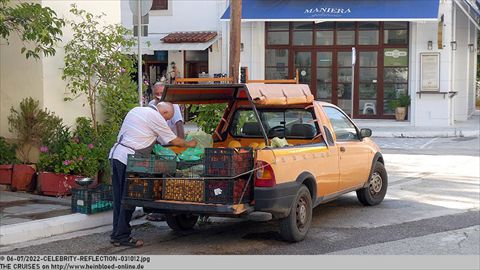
(291, 123)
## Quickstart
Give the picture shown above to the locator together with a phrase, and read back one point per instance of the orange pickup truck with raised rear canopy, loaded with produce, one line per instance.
(327, 156)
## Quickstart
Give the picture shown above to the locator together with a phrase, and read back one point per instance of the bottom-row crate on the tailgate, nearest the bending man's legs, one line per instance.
(144, 188)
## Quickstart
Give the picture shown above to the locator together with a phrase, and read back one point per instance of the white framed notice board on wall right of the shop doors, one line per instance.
(430, 72)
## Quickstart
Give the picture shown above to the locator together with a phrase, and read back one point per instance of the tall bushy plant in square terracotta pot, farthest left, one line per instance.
(29, 123)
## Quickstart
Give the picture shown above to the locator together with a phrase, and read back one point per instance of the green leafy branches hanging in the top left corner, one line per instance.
(38, 27)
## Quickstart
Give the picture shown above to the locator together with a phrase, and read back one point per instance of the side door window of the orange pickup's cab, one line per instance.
(342, 126)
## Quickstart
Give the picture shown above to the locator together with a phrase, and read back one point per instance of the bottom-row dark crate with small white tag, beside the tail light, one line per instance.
(228, 191)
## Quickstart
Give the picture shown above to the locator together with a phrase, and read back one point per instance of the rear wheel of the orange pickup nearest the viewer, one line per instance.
(295, 227)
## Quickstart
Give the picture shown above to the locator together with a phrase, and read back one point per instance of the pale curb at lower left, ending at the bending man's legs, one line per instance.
(32, 230)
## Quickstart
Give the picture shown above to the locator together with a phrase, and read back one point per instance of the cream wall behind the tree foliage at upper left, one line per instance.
(41, 79)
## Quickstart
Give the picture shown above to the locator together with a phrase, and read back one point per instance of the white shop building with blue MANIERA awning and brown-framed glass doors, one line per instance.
(360, 55)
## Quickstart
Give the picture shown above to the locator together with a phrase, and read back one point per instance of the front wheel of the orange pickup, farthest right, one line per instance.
(375, 192)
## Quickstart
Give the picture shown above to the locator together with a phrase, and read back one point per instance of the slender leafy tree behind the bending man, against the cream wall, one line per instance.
(96, 64)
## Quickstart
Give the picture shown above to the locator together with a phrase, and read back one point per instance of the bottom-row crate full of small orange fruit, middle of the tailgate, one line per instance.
(186, 190)
